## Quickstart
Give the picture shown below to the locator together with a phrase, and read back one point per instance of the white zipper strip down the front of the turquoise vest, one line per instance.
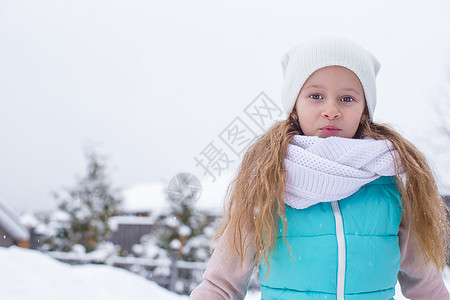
(341, 250)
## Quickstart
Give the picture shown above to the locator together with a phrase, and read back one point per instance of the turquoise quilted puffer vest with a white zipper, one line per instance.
(345, 249)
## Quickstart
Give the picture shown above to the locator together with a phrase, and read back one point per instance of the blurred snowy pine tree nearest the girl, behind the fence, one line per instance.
(181, 232)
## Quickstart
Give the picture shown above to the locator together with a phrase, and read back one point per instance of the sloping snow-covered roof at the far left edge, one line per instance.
(10, 222)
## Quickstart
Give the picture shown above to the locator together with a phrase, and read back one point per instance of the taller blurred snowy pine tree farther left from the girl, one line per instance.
(85, 209)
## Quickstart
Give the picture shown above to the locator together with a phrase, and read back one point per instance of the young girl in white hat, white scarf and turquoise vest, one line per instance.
(328, 204)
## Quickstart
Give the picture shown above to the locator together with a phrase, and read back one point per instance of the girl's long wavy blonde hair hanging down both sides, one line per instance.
(255, 195)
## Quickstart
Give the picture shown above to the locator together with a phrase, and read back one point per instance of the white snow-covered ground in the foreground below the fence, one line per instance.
(29, 274)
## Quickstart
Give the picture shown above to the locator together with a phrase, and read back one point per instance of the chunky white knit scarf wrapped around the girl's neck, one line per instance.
(333, 168)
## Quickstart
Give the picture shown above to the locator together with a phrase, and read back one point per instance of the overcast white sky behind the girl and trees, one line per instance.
(152, 83)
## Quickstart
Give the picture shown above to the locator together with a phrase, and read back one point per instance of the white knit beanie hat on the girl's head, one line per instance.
(304, 59)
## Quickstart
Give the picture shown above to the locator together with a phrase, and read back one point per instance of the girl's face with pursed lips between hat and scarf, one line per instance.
(331, 103)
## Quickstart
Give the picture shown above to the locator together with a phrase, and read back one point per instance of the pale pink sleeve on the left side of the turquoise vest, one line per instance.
(223, 278)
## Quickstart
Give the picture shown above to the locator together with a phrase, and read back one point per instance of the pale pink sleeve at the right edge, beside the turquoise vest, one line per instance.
(415, 285)
